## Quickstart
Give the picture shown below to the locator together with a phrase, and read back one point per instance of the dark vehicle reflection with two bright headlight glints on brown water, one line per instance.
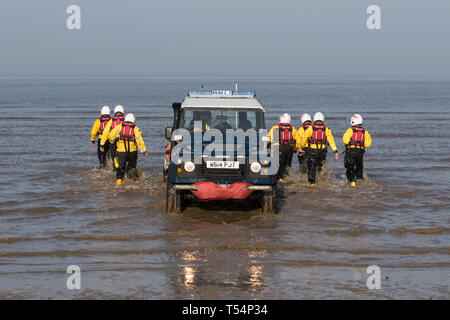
(224, 254)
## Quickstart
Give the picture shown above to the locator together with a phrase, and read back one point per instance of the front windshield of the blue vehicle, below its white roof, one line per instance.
(222, 119)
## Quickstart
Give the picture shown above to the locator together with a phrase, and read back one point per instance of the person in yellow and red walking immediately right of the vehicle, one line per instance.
(286, 134)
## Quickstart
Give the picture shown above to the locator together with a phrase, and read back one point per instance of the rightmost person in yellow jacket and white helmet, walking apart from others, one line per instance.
(356, 140)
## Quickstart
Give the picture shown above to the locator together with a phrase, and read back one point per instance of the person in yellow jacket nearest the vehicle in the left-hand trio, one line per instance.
(129, 139)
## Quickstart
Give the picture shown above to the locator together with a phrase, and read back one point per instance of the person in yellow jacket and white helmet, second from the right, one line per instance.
(317, 138)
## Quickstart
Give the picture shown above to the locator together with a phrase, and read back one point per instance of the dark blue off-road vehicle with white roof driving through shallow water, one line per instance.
(185, 166)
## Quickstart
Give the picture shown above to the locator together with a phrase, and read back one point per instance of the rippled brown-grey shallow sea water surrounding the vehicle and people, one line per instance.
(57, 209)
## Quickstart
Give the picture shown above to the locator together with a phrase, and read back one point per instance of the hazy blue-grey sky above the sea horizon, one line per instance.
(228, 37)
